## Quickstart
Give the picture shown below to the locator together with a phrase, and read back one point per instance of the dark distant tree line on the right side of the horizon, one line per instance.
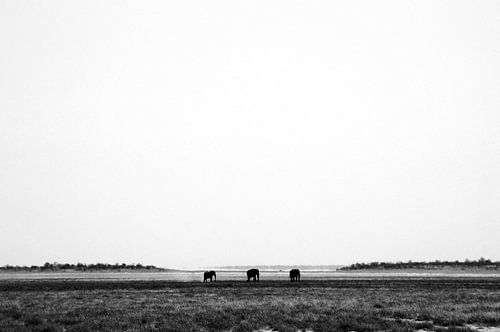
(436, 265)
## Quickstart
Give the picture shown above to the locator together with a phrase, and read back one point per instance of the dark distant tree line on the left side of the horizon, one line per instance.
(81, 267)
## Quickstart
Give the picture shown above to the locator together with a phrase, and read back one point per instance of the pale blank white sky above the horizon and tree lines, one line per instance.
(194, 133)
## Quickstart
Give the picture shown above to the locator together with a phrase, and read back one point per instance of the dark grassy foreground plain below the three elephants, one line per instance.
(381, 304)
